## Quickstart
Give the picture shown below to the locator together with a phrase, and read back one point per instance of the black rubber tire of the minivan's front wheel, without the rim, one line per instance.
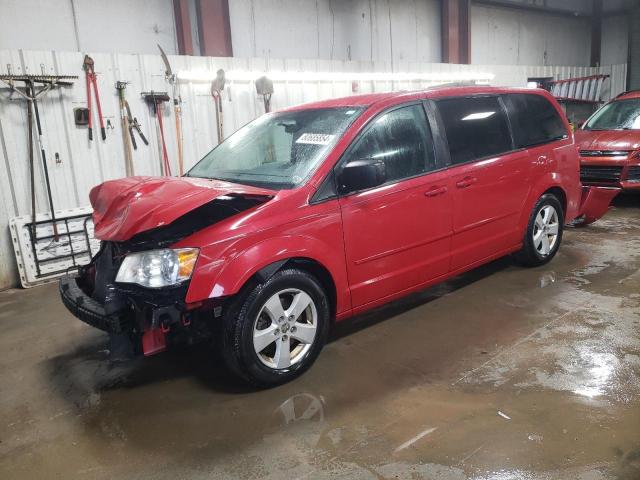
(239, 321)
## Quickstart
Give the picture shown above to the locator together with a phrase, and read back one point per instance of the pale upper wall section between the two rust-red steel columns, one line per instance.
(372, 30)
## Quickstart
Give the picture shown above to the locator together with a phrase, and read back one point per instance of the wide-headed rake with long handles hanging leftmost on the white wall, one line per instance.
(31, 93)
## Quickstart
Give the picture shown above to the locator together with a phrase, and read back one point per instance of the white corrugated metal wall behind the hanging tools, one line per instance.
(83, 164)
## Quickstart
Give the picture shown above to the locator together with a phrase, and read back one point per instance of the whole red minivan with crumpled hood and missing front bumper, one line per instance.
(313, 214)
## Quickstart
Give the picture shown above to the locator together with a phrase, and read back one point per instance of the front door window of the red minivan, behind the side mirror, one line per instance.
(400, 138)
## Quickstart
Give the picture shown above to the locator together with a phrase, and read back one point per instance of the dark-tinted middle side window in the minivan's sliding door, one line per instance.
(475, 127)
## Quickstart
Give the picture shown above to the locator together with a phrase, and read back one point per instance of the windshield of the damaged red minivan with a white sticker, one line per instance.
(279, 150)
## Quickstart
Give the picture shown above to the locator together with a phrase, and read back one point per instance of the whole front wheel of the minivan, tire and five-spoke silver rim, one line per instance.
(277, 328)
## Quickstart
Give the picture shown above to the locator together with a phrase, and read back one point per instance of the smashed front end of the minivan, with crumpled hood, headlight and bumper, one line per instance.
(142, 315)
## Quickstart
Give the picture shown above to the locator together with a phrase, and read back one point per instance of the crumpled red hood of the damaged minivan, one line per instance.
(125, 207)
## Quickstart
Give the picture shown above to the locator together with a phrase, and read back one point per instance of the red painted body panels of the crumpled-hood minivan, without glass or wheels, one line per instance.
(376, 245)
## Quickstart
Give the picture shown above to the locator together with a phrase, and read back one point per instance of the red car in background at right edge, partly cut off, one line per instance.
(609, 144)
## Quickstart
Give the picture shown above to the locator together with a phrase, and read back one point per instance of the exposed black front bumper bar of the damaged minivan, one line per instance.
(91, 312)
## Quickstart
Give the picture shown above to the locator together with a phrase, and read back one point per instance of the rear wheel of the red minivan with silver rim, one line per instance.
(544, 232)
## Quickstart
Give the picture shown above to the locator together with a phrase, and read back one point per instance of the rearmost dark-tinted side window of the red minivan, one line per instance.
(534, 119)
